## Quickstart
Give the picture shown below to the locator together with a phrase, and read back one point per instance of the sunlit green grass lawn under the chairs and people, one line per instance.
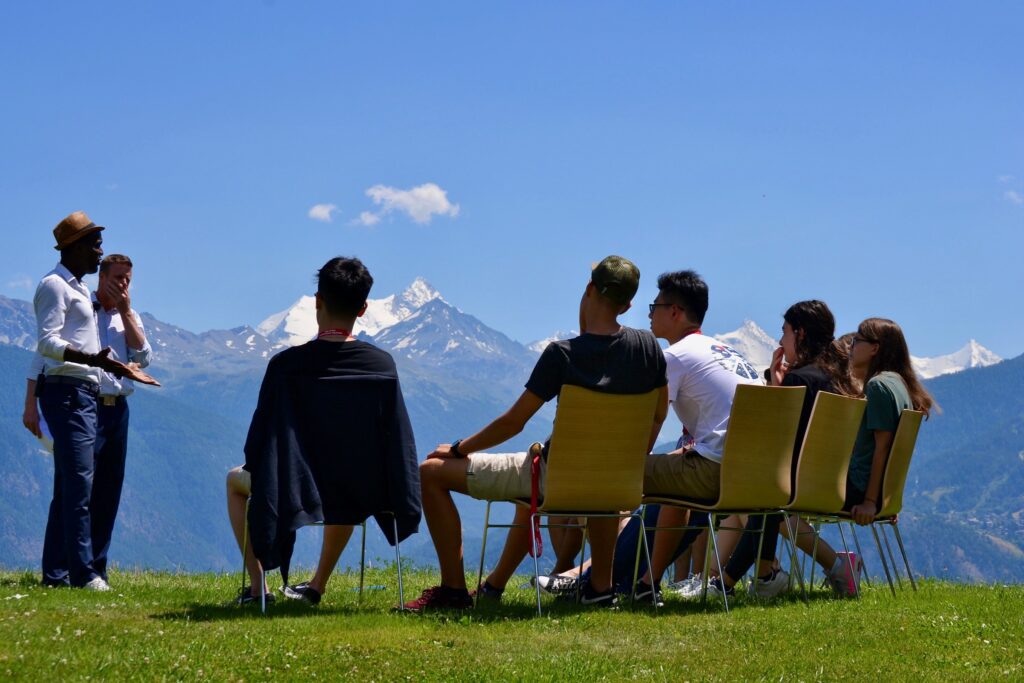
(159, 626)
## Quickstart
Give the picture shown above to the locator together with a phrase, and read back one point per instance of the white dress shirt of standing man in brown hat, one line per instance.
(65, 318)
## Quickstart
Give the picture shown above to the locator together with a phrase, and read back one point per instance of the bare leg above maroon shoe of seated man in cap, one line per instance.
(439, 478)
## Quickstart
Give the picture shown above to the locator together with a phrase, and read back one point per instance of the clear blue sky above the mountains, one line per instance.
(868, 155)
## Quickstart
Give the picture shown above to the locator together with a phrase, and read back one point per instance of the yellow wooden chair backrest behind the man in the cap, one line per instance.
(598, 452)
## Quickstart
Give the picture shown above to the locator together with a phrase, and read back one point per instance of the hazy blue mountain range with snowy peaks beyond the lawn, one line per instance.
(457, 374)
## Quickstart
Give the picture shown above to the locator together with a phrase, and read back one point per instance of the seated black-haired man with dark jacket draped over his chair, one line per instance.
(344, 285)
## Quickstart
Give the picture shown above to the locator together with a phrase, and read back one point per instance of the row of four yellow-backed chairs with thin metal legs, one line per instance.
(598, 452)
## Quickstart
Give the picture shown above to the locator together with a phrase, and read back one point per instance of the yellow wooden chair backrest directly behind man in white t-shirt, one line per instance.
(757, 459)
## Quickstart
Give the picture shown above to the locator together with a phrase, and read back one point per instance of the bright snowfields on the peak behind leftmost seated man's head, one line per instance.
(297, 324)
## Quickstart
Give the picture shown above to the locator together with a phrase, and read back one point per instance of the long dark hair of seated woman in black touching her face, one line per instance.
(818, 346)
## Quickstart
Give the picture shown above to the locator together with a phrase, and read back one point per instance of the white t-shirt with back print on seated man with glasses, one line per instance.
(704, 374)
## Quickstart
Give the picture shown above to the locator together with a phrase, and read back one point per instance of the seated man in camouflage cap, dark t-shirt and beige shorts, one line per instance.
(607, 357)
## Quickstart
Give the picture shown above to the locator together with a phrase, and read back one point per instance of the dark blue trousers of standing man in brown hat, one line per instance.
(70, 411)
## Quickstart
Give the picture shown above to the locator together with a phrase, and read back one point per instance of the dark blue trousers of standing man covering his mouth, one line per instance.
(110, 452)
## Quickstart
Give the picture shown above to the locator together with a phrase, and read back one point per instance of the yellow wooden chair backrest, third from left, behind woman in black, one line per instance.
(825, 456)
